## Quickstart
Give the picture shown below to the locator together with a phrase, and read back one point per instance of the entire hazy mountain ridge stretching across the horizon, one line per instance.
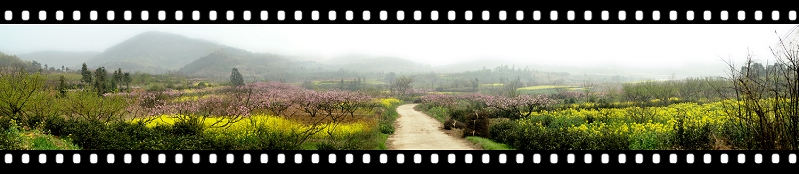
(161, 52)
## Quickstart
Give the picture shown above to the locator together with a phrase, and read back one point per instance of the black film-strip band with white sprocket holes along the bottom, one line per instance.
(401, 157)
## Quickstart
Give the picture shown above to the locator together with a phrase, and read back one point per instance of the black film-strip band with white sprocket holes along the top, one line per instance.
(398, 16)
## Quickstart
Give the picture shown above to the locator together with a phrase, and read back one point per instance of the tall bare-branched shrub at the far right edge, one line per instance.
(768, 100)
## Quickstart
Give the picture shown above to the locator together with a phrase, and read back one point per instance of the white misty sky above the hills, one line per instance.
(633, 45)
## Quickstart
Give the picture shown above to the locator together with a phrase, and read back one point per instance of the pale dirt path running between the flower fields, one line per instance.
(417, 131)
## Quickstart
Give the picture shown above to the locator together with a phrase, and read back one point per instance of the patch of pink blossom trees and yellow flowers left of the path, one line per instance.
(263, 106)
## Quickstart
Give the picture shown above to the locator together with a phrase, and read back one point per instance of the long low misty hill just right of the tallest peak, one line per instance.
(260, 66)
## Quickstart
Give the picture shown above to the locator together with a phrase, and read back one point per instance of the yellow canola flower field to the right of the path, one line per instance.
(646, 127)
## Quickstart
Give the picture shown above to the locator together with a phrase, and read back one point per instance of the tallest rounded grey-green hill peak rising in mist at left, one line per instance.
(153, 52)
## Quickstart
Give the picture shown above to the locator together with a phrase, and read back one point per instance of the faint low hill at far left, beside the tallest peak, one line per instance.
(72, 60)
